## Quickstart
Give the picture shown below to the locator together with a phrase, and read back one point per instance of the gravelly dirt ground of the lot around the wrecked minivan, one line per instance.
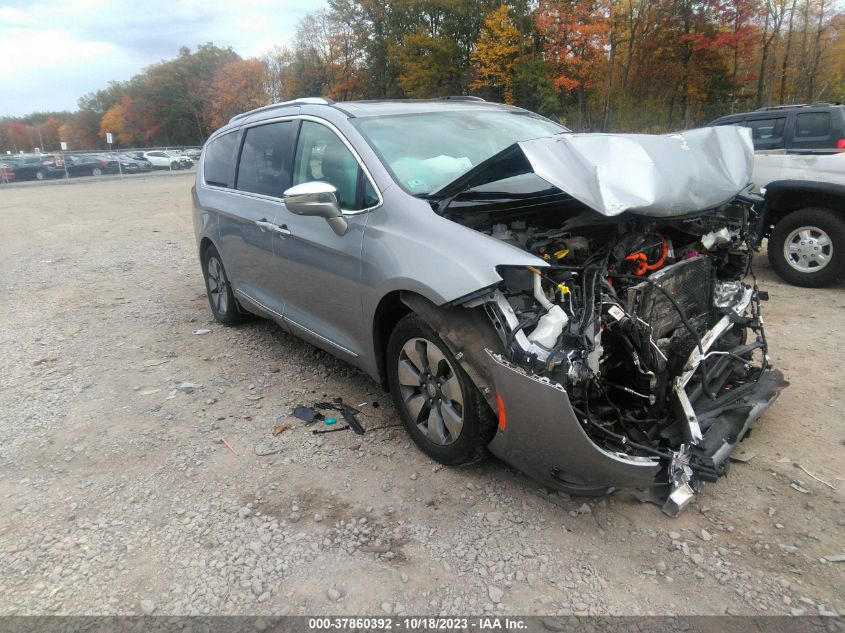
(119, 497)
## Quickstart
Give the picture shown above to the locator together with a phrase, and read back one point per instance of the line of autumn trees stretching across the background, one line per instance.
(601, 65)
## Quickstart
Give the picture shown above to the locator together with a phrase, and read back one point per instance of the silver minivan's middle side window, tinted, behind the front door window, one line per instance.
(265, 163)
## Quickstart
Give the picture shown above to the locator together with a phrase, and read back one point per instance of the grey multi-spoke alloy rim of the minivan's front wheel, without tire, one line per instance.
(431, 391)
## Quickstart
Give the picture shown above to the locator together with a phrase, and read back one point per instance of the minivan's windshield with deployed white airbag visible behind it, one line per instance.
(428, 150)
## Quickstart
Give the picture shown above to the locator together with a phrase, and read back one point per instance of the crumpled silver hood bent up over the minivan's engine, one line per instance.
(656, 175)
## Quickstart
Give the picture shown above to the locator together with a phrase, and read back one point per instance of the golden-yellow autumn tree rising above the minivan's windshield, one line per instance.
(497, 53)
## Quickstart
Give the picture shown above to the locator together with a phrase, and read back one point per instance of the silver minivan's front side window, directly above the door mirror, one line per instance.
(321, 155)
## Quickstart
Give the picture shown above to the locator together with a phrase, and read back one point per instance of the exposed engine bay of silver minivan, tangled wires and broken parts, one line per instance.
(651, 325)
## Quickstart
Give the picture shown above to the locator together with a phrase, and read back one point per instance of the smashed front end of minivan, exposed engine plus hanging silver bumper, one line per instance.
(634, 353)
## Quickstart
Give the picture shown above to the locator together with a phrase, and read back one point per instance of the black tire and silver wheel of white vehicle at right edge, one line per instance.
(807, 247)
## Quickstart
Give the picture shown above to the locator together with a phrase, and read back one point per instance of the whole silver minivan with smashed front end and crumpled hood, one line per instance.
(579, 305)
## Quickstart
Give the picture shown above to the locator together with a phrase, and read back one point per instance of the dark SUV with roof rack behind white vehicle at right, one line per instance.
(806, 127)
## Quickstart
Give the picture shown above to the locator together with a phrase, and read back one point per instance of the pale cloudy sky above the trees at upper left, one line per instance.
(54, 51)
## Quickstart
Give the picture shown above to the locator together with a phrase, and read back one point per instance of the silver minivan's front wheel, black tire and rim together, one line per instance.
(412, 352)
